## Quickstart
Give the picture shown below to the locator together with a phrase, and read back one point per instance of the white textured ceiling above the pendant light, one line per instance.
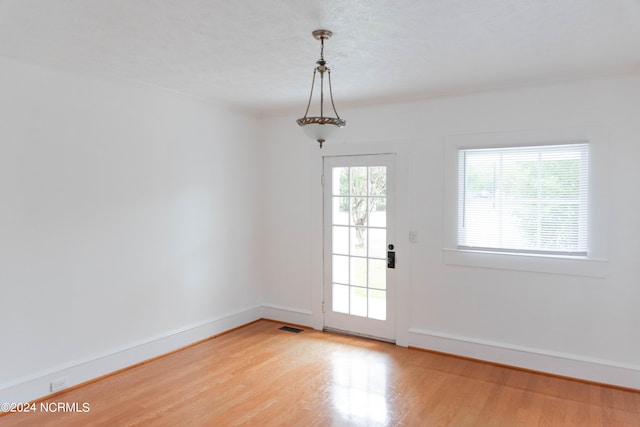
(259, 54)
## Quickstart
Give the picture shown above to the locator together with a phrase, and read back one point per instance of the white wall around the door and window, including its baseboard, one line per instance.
(577, 326)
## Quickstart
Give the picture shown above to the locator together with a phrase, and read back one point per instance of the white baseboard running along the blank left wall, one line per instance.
(38, 385)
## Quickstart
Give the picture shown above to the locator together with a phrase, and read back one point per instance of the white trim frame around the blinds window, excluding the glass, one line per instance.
(594, 264)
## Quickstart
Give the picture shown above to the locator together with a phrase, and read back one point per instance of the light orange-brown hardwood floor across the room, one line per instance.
(260, 375)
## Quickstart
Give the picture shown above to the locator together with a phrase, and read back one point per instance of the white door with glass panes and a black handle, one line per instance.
(359, 207)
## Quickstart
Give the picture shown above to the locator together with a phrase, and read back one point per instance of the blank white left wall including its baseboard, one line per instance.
(128, 225)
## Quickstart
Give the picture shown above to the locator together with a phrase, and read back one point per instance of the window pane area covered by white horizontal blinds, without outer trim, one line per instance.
(525, 199)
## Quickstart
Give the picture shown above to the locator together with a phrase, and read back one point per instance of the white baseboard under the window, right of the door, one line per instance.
(566, 365)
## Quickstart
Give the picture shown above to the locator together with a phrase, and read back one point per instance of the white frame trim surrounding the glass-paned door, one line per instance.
(402, 307)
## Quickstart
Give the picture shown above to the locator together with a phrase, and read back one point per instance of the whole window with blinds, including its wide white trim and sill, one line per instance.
(528, 200)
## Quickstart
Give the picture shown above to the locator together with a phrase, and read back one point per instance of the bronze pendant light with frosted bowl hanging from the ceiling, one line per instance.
(321, 128)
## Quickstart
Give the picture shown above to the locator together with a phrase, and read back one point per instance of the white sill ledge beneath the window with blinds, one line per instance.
(573, 266)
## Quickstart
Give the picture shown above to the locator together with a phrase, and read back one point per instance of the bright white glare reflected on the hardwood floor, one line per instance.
(360, 388)
